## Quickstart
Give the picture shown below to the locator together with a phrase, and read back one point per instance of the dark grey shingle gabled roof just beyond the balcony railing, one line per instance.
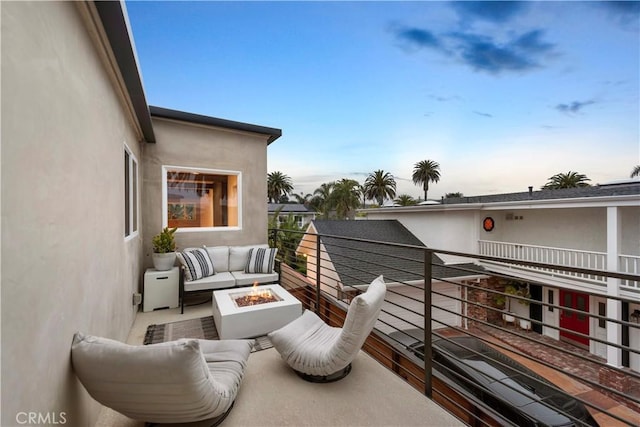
(358, 263)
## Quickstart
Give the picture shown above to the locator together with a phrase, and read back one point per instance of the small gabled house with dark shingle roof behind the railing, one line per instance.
(350, 265)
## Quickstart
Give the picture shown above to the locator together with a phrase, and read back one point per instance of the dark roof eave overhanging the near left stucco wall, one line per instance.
(116, 26)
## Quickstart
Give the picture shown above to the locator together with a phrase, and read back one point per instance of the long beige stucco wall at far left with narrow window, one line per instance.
(65, 263)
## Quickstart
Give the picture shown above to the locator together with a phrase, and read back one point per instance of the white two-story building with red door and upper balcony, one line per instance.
(591, 227)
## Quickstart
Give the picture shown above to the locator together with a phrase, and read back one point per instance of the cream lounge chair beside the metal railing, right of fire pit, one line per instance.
(321, 353)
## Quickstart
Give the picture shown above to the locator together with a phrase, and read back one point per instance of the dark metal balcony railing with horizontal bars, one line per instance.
(430, 300)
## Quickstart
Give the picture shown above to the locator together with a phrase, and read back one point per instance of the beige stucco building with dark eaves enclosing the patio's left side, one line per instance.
(90, 173)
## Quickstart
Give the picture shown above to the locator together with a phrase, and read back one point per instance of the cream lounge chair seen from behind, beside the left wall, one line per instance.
(180, 381)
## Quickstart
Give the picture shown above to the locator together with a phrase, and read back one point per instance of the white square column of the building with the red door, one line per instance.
(614, 307)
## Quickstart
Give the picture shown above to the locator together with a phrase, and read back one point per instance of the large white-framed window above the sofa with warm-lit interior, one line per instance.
(201, 198)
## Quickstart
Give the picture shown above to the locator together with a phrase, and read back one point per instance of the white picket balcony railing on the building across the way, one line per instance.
(548, 255)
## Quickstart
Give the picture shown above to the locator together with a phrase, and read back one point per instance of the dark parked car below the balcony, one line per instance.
(511, 389)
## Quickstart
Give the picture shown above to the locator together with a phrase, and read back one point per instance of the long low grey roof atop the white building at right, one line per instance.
(625, 188)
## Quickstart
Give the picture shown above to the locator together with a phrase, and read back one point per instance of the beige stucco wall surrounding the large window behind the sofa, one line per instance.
(186, 144)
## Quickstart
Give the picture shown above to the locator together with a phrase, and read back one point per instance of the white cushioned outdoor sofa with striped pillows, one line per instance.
(222, 267)
